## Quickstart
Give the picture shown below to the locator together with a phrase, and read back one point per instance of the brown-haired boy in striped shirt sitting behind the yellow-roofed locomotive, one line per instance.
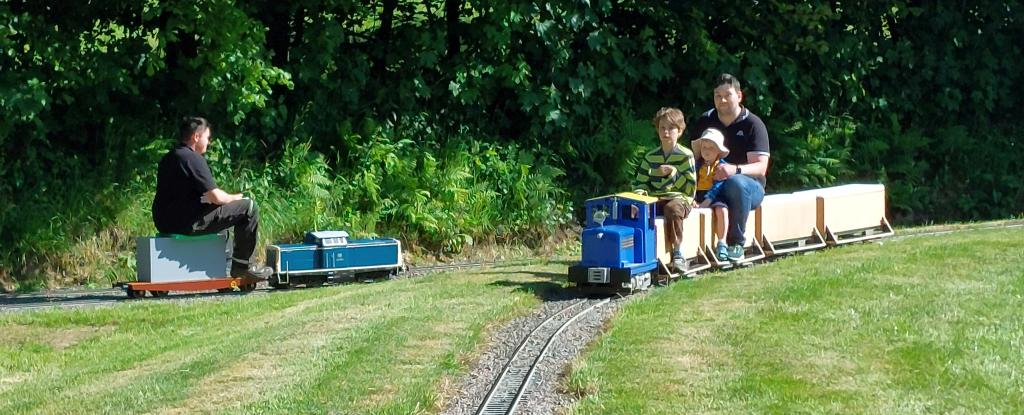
(667, 173)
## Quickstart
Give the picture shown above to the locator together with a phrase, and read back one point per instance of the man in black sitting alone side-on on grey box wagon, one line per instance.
(189, 201)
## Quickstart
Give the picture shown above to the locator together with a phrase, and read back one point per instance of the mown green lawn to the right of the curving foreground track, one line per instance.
(914, 325)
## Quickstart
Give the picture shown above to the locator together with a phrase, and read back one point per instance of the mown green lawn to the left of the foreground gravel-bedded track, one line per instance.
(383, 348)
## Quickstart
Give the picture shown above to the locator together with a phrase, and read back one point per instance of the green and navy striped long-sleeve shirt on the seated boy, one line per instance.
(651, 181)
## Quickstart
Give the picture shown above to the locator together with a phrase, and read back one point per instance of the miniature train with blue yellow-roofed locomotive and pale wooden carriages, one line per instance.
(625, 248)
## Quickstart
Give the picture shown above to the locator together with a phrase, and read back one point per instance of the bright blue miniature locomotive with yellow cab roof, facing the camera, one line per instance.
(619, 243)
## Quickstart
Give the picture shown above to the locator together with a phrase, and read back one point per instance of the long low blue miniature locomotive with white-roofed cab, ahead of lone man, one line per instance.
(329, 255)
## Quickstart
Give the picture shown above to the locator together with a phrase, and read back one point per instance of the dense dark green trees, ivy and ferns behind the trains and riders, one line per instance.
(400, 117)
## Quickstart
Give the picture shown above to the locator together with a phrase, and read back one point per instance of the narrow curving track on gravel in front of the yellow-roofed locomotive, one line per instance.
(514, 383)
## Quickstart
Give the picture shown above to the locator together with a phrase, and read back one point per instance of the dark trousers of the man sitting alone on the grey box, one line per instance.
(242, 215)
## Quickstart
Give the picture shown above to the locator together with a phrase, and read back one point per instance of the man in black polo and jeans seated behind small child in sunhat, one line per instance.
(747, 165)
